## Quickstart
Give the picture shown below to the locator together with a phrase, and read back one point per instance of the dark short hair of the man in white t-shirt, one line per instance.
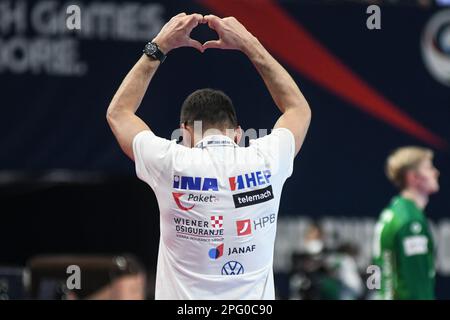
(213, 107)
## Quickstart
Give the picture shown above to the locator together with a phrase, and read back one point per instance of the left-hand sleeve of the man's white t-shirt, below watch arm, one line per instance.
(152, 156)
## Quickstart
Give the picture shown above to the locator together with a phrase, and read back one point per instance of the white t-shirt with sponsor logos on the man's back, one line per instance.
(218, 206)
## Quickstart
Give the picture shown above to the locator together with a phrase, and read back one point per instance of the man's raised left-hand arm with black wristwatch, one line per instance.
(121, 112)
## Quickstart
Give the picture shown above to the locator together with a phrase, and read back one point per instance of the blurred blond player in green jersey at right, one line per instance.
(403, 243)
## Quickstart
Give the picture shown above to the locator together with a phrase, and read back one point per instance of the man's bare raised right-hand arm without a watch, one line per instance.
(287, 96)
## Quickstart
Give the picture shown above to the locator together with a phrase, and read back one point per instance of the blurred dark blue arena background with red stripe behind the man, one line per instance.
(69, 196)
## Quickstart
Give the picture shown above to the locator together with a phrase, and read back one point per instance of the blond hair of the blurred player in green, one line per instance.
(402, 160)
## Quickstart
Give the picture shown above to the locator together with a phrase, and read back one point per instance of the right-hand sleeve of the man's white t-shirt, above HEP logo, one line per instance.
(279, 147)
